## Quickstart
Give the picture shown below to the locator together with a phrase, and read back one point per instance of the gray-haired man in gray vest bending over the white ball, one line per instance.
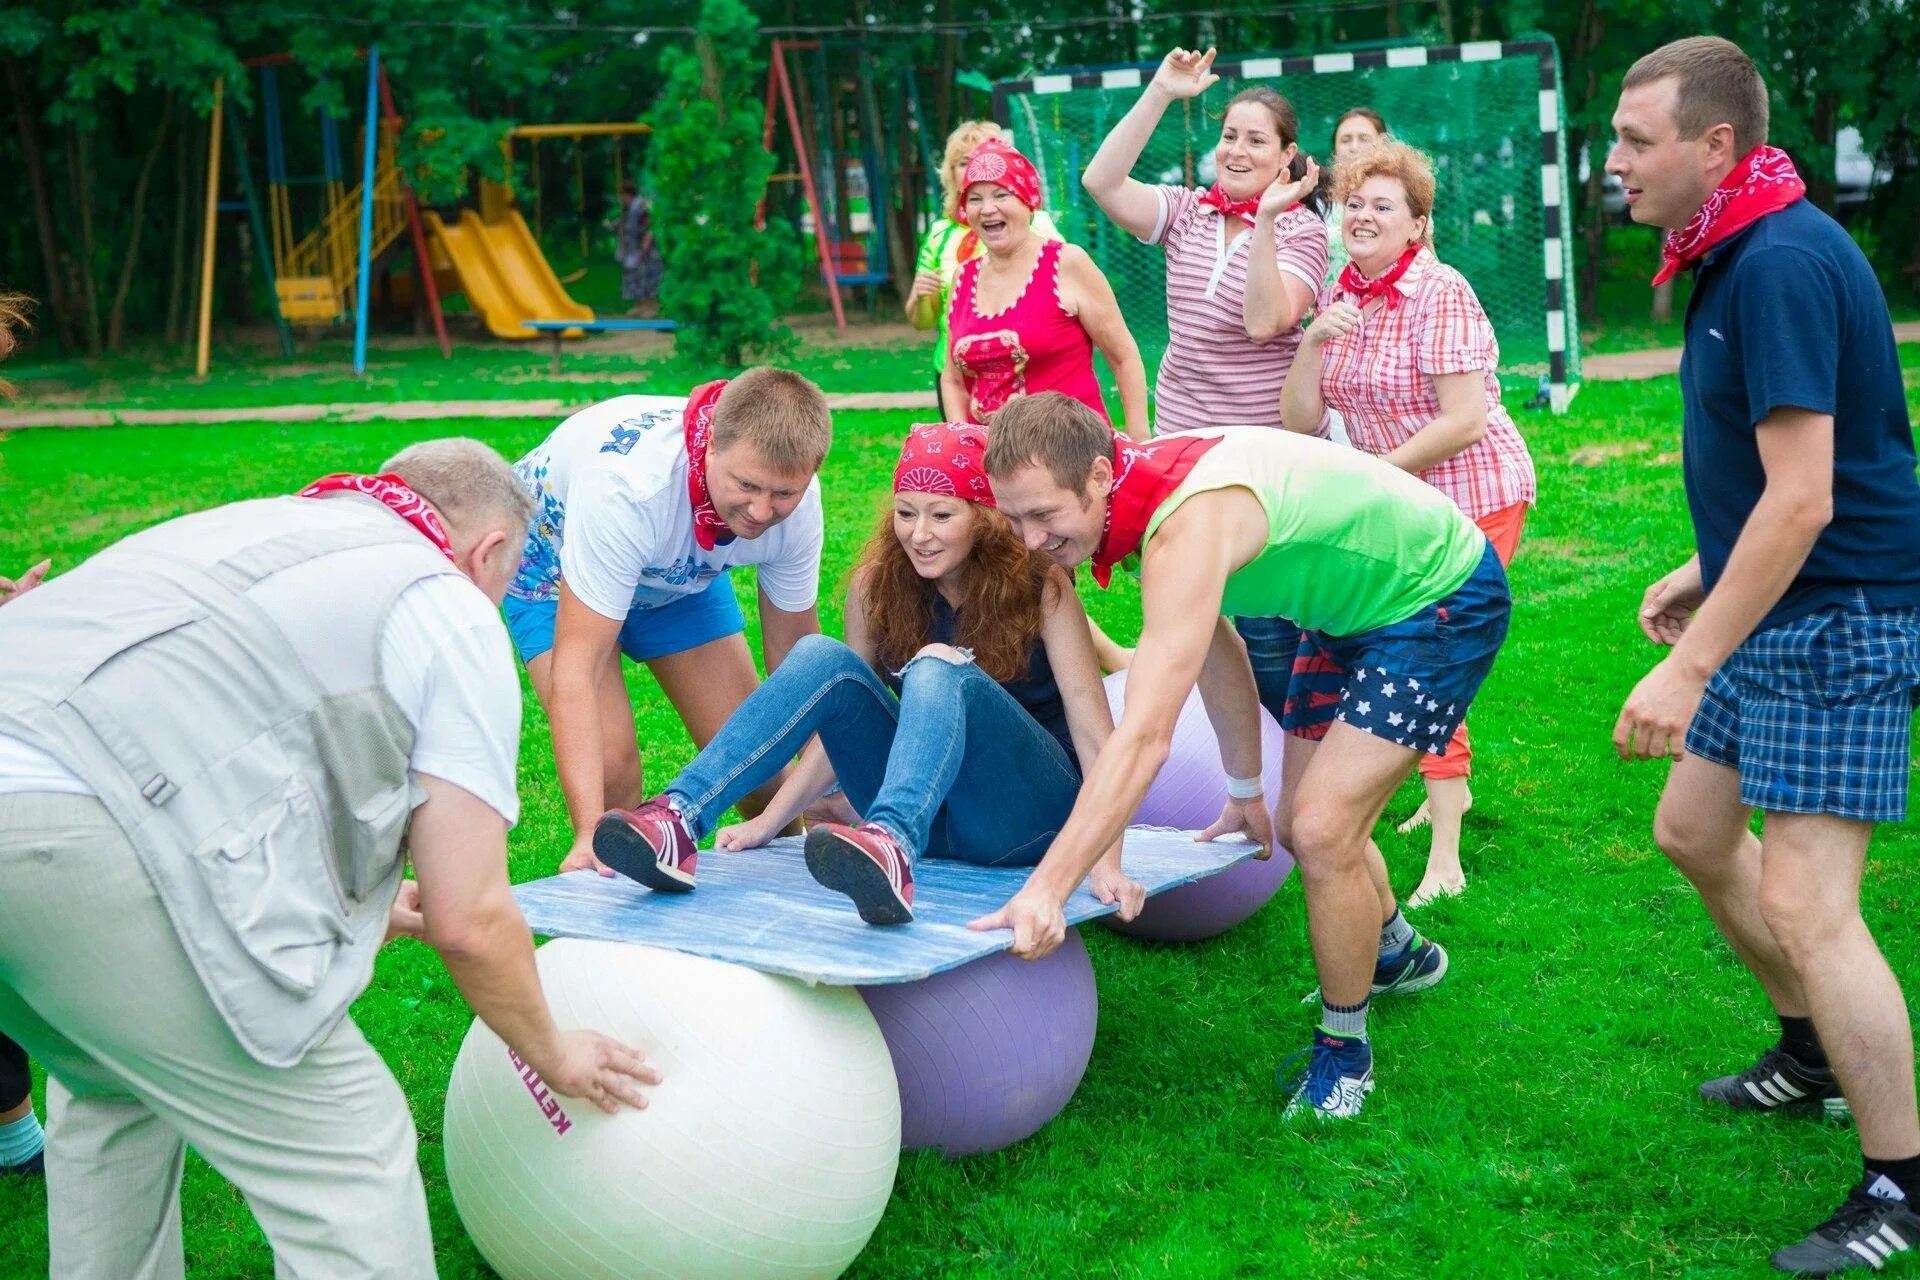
(216, 740)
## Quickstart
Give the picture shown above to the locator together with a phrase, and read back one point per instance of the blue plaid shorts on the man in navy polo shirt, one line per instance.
(1817, 713)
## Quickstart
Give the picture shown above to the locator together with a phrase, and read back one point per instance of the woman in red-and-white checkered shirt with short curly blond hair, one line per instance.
(1404, 352)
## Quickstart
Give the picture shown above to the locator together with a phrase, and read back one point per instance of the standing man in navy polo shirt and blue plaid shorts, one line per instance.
(1796, 628)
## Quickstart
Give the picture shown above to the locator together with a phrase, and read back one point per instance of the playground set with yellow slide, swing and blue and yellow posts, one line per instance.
(320, 277)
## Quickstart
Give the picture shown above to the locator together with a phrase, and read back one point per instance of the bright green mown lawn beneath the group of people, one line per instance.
(1537, 1114)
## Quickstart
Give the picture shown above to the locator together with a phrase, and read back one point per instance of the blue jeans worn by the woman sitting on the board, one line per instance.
(953, 769)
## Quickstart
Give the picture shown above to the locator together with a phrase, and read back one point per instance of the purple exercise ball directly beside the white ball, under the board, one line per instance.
(986, 1055)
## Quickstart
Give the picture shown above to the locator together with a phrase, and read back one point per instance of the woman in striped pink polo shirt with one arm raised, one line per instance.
(1245, 256)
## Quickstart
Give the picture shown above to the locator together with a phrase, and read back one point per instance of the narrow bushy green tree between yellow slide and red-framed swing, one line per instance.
(709, 172)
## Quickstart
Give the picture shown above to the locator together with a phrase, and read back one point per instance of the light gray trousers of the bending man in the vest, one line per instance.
(97, 987)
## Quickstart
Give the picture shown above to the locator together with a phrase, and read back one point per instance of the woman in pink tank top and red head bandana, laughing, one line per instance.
(1028, 316)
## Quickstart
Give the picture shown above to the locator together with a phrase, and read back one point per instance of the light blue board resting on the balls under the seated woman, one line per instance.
(763, 911)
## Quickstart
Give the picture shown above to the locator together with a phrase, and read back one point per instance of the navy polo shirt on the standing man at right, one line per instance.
(1788, 314)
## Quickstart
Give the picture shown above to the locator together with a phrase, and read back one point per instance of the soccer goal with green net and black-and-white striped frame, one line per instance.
(1491, 114)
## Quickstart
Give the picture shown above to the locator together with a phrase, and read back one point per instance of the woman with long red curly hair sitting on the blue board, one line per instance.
(959, 715)
